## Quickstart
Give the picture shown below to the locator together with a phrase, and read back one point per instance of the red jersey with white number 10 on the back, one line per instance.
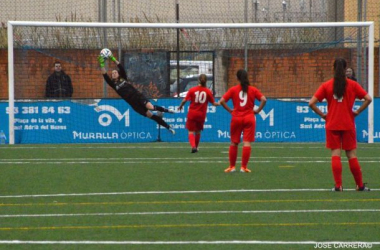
(199, 97)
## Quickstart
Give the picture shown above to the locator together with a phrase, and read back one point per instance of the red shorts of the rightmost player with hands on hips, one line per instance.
(344, 139)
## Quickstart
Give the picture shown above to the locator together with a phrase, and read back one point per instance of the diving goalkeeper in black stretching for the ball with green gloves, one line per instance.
(132, 96)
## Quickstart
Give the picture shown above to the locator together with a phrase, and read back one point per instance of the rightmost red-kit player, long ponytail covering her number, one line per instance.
(340, 93)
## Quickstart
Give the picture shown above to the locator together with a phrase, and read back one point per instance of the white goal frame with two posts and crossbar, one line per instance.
(12, 24)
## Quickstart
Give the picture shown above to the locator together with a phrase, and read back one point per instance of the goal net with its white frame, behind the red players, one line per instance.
(286, 62)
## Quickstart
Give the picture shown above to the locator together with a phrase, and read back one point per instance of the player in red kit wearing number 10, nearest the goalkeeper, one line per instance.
(199, 97)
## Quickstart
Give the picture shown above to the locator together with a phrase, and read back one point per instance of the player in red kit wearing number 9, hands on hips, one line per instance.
(243, 118)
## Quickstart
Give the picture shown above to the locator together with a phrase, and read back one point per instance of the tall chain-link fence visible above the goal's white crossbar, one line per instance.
(189, 11)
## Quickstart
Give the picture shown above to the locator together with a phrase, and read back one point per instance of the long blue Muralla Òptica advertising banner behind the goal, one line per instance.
(114, 121)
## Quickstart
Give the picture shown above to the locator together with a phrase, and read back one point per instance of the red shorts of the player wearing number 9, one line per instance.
(245, 125)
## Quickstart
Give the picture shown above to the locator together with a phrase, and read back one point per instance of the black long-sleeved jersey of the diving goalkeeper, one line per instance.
(123, 87)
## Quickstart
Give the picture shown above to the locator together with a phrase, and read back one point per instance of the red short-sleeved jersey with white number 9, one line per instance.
(243, 102)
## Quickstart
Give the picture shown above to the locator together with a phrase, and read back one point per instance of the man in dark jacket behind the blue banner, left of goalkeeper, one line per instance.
(58, 84)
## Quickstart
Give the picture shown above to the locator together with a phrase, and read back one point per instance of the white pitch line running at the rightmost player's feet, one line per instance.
(178, 192)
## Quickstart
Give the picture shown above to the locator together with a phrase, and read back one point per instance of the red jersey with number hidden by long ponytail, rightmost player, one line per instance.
(340, 115)
